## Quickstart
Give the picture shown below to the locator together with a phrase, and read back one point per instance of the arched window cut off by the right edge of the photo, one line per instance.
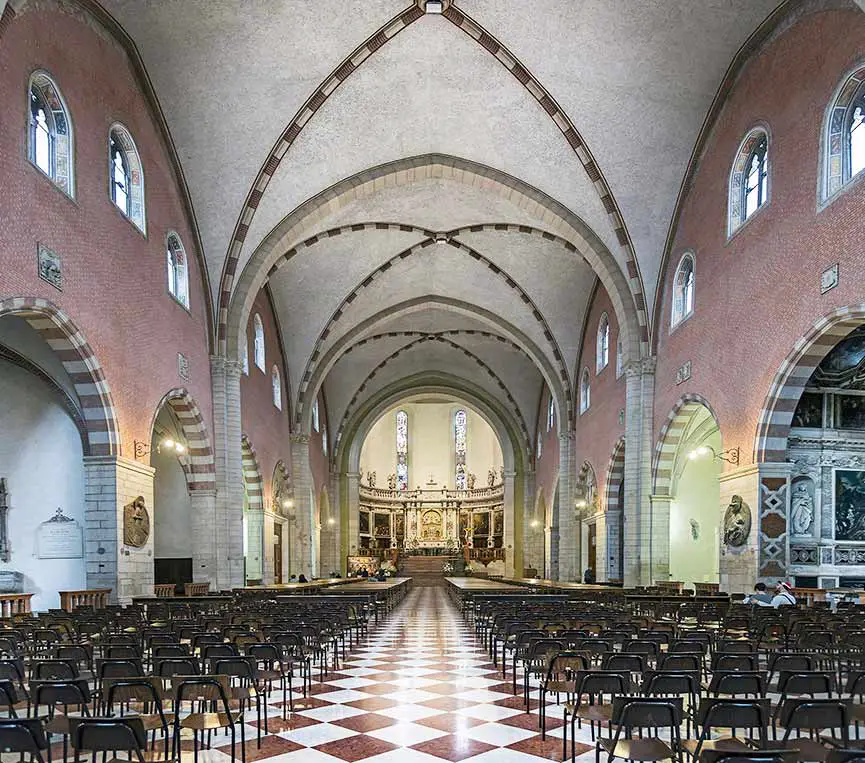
(844, 139)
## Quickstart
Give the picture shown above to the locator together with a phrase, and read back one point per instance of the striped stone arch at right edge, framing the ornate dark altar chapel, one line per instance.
(776, 416)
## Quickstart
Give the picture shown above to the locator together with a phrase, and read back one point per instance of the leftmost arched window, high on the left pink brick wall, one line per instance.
(49, 144)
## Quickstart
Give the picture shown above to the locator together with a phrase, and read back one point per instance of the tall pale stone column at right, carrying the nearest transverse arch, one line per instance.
(637, 514)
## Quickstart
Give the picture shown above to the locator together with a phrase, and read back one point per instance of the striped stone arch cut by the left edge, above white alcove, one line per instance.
(80, 363)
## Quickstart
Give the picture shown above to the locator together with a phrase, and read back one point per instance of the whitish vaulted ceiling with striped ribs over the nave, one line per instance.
(593, 105)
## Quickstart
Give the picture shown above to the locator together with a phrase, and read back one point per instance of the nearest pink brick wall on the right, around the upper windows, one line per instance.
(757, 293)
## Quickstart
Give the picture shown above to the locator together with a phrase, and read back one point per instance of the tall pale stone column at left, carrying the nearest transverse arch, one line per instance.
(229, 568)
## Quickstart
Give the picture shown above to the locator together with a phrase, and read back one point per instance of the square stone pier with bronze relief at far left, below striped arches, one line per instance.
(111, 482)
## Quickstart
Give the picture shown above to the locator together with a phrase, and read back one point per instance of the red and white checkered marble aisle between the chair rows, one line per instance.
(419, 691)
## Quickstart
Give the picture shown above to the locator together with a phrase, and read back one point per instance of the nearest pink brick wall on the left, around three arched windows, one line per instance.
(114, 280)
